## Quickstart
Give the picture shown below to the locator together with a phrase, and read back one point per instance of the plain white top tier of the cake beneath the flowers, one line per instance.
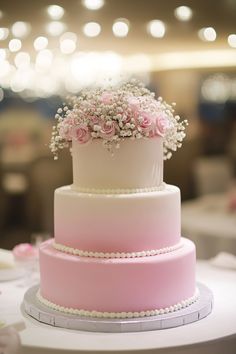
(136, 164)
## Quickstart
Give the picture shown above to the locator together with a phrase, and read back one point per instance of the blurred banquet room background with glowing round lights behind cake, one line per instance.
(185, 51)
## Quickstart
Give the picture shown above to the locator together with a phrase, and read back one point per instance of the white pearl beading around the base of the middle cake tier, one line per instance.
(81, 253)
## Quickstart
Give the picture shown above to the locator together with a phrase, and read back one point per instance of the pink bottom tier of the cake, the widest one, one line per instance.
(117, 287)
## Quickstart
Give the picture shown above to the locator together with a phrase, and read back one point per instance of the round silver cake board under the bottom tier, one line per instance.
(198, 310)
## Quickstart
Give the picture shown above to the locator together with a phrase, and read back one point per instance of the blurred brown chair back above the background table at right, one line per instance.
(212, 174)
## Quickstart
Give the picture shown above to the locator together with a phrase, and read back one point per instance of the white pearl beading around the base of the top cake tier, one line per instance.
(161, 187)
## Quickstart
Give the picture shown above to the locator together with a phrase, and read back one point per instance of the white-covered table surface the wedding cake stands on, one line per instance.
(220, 324)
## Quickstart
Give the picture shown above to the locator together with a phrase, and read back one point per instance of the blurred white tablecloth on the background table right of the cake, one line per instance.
(209, 223)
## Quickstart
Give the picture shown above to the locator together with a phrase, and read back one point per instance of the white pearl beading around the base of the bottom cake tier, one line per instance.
(99, 314)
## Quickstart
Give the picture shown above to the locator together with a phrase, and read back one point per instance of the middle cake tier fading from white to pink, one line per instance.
(117, 223)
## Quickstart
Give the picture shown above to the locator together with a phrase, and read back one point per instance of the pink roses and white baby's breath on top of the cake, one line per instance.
(117, 113)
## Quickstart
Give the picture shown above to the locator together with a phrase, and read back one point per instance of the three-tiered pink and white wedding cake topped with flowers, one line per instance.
(117, 250)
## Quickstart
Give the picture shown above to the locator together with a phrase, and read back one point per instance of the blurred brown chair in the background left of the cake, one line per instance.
(46, 175)
